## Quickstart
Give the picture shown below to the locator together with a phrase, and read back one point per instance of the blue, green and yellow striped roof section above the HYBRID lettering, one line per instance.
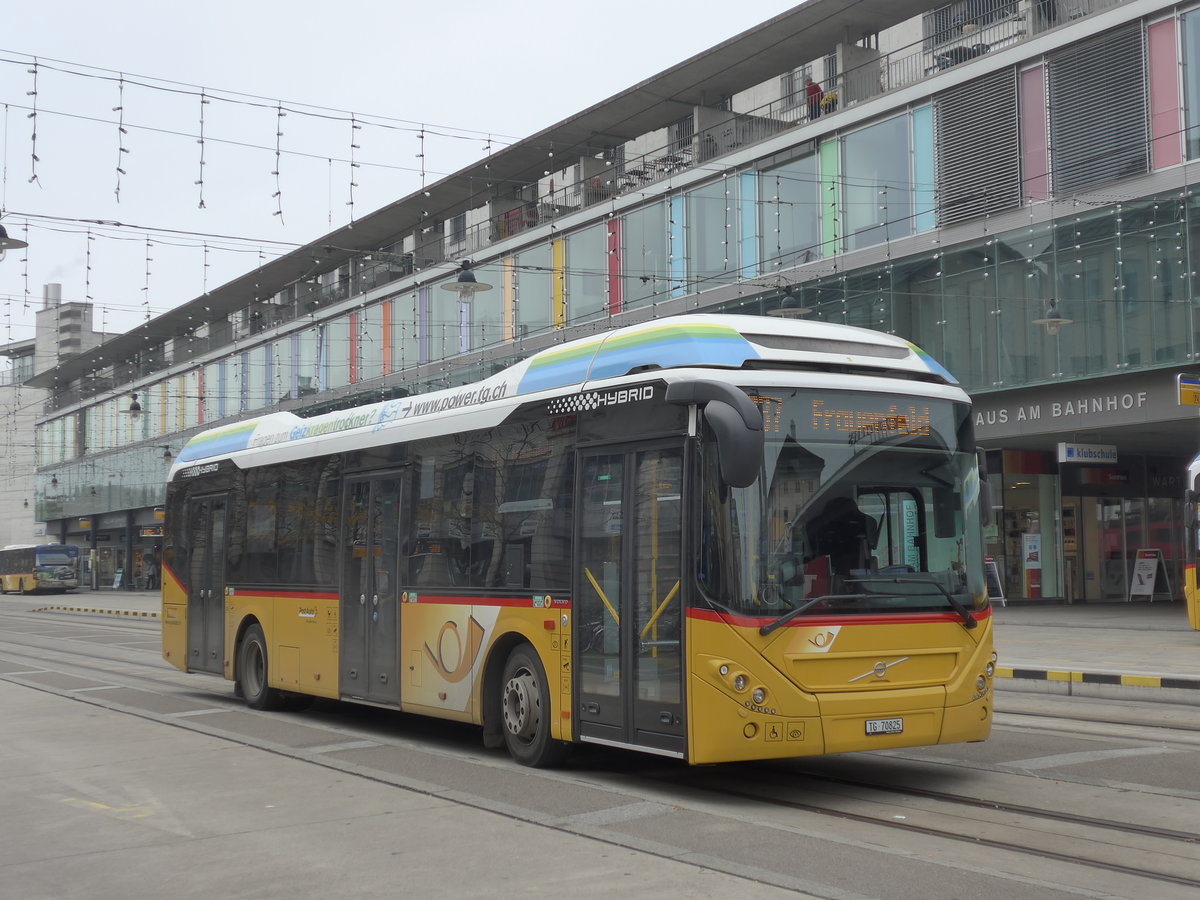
(667, 345)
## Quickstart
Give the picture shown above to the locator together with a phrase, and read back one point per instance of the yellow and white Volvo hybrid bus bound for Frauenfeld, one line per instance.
(643, 539)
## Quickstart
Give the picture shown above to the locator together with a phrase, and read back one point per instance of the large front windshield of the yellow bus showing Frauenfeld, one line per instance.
(867, 503)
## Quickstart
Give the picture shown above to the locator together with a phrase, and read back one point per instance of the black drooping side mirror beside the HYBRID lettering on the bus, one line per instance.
(735, 421)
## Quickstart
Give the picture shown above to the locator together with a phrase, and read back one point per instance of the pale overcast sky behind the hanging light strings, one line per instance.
(445, 80)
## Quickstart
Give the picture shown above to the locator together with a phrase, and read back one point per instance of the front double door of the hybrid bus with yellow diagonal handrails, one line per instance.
(628, 619)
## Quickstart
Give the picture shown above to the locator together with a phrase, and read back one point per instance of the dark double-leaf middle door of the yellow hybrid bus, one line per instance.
(370, 620)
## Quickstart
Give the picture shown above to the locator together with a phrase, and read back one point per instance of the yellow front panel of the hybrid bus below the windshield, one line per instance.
(824, 681)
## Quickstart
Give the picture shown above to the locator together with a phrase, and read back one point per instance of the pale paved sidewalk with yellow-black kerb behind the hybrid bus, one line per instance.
(1119, 650)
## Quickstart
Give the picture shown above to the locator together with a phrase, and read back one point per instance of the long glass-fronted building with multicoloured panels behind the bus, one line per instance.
(1024, 213)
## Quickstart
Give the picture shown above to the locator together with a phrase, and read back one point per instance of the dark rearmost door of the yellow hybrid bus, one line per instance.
(206, 584)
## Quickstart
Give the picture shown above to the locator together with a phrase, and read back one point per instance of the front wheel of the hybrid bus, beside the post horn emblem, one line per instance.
(525, 711)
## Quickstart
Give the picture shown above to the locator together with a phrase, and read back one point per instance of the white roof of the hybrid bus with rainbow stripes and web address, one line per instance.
(710, 341)
